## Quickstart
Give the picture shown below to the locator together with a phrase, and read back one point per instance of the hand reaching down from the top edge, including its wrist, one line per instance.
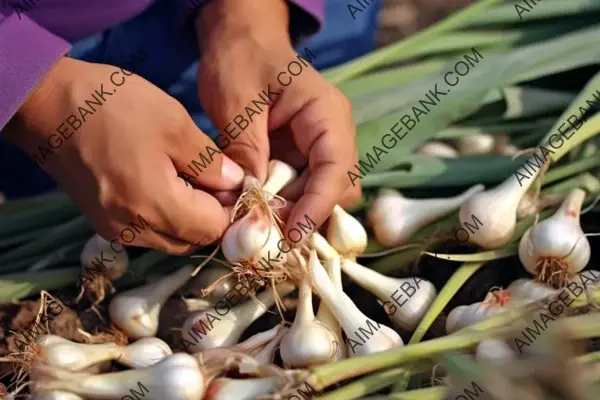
(246, 50)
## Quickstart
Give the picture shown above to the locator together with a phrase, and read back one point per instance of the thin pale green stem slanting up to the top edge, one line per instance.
(379, 57)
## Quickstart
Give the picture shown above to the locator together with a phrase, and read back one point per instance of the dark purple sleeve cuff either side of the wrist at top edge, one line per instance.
(306, 16)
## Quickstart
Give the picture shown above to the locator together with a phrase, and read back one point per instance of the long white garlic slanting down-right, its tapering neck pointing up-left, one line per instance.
(353, 321)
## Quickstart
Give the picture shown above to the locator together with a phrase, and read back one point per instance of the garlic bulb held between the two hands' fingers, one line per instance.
(251, 238)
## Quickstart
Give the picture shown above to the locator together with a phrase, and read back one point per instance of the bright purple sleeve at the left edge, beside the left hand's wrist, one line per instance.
(27, 53)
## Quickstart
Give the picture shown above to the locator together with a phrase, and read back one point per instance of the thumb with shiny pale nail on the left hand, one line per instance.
(200, 162)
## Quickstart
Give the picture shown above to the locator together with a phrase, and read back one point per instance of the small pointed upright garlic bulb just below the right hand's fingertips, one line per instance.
(346, 234)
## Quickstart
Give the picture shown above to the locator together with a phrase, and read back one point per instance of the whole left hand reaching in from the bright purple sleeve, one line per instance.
(123, 161)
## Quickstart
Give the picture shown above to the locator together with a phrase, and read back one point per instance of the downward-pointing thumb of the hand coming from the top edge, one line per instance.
(246, 140)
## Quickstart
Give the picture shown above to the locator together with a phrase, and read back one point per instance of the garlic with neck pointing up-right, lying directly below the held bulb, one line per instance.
(224, 330)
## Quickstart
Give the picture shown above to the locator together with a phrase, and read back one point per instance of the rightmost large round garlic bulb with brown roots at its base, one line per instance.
(556, 248)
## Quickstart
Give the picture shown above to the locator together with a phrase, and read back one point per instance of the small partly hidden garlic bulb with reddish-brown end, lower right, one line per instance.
(463, 316)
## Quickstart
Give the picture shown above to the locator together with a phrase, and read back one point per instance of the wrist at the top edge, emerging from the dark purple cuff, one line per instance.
(233, 21)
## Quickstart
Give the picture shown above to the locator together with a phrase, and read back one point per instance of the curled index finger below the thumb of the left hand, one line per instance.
(188, 214)
